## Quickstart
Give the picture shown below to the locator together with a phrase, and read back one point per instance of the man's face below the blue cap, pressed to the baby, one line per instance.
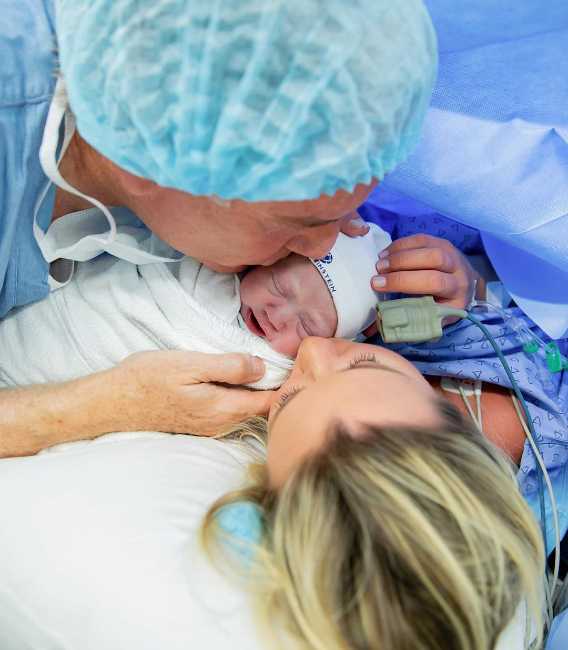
(227, 236)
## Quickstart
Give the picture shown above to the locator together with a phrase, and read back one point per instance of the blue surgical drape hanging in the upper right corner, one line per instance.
(494, 152)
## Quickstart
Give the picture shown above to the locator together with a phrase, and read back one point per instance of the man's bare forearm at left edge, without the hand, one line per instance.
(35, 417)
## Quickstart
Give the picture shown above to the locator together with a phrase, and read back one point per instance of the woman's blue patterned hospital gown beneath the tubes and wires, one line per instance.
(463, 352)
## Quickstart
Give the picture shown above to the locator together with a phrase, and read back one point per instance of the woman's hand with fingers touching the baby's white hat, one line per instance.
(426, 265)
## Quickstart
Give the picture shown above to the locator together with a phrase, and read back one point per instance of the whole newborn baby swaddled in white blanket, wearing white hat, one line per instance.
(112, 308)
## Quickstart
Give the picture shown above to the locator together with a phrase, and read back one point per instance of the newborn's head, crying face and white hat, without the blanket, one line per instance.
(298, 297)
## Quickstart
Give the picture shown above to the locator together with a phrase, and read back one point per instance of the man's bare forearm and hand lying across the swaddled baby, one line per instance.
(178, 392)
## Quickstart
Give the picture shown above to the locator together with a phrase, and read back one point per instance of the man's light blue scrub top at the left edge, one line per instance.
(27, 81)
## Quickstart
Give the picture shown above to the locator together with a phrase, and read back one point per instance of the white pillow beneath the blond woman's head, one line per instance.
(99, 548)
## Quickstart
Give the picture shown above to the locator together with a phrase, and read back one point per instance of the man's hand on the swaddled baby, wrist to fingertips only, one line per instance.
(188, 392)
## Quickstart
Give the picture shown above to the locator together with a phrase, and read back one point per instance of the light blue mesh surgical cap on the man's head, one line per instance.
(250, 99)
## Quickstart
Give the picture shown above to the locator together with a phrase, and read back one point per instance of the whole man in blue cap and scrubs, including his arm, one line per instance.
(236, 137)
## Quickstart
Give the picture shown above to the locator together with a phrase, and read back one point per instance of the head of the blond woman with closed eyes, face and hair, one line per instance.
(379, 518)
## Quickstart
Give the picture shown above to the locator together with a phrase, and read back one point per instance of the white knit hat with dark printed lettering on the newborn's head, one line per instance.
(347, 270)
